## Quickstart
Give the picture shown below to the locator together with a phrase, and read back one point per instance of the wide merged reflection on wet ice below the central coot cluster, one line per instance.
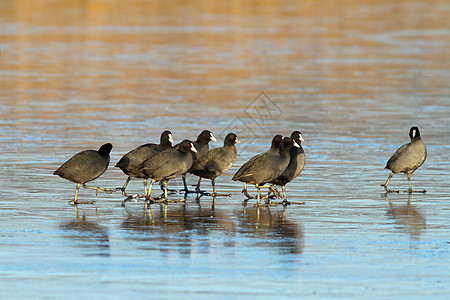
(184, 228)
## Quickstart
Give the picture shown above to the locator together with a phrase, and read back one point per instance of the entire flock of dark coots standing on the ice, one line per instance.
(282, 163)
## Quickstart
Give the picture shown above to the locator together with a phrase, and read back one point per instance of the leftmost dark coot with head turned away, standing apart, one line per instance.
(85, 166)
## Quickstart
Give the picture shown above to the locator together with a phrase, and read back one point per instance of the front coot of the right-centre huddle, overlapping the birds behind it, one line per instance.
(266, 167)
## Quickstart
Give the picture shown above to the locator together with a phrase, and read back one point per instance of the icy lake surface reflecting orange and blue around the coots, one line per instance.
(353, 77)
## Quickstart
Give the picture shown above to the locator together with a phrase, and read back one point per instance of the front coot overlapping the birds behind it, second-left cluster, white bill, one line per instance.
(166, 165)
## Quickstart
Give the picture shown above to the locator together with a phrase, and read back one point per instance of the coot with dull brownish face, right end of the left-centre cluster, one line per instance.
(216, 161)
